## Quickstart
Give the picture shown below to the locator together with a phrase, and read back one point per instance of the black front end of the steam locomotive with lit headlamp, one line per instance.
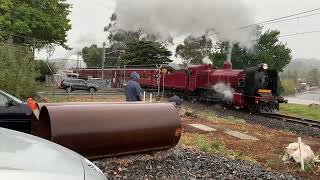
(261, 89)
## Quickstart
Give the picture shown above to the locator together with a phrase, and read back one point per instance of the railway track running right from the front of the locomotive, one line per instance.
(303, 121)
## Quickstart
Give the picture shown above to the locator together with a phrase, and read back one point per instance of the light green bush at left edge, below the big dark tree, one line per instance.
(17, 72)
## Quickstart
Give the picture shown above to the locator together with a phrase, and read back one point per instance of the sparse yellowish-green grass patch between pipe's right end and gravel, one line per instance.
(211, 145)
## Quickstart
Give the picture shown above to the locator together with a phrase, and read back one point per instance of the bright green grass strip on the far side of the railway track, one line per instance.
(301, 111)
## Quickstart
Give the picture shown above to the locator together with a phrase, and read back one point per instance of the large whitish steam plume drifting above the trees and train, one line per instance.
(184, 17)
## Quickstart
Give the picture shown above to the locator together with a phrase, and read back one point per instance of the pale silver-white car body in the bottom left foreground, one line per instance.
(27, 157)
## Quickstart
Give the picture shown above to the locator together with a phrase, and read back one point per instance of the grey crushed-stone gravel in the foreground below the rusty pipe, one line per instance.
(182, 163)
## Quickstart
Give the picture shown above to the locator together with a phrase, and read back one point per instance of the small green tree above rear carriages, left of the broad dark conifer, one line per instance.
(92, 55)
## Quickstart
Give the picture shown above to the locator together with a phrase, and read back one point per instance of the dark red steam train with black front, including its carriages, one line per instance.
(255, 88)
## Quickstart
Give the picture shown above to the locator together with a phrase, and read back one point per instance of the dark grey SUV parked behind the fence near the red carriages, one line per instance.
(78, 84)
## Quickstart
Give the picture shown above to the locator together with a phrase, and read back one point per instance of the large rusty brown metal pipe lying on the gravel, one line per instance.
(109, 129)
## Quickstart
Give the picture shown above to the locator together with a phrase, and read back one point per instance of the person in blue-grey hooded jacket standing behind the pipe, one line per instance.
(133, 89)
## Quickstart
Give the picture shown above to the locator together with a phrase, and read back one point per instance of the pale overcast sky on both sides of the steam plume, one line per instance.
(88, 19)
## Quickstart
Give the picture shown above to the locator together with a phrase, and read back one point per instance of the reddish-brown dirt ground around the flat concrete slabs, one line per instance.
(267, 151)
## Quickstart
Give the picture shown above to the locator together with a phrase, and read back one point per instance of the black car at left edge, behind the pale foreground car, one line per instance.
(12, 116)
